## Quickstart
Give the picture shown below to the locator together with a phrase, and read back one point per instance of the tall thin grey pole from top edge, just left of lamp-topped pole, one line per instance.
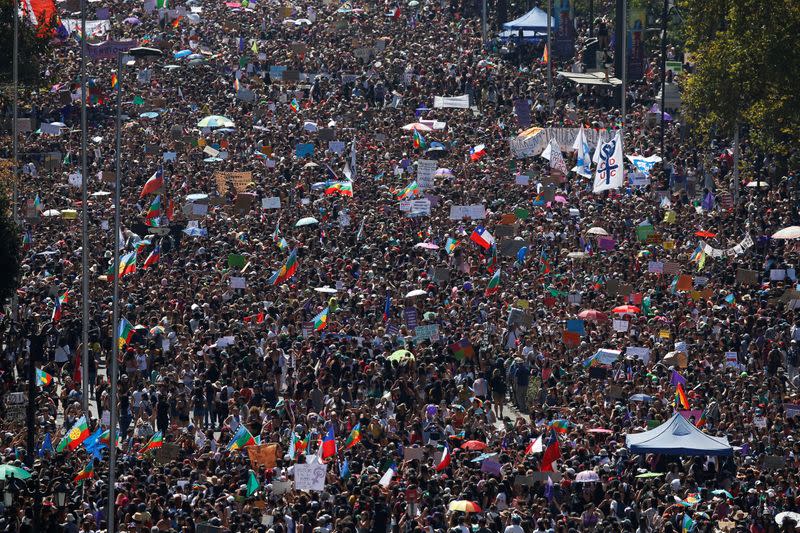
(84, 225)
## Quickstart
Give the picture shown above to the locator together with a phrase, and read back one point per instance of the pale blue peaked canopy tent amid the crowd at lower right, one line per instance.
(677, 436)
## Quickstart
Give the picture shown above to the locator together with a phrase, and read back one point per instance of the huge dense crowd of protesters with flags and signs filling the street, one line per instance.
(503, 377)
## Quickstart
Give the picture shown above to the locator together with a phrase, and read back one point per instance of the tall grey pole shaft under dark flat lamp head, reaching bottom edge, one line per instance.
(112, 434)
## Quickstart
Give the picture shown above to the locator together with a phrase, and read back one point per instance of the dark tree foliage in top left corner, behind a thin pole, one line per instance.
(31, 47)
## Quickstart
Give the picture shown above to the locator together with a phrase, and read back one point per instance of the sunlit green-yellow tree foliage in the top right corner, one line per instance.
(746, 68)
